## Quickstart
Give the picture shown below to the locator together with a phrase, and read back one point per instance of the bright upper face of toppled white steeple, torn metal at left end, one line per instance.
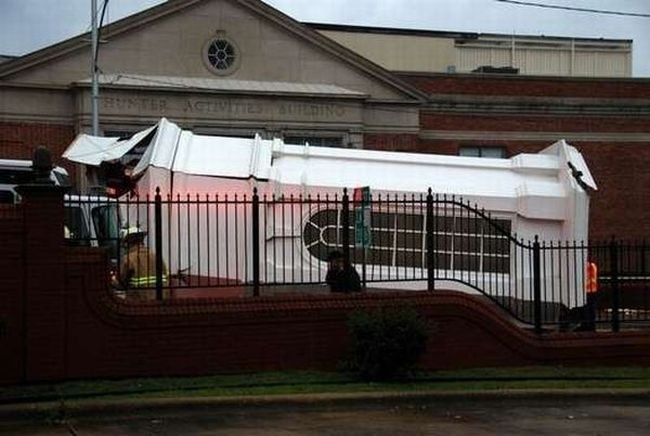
(169, 147)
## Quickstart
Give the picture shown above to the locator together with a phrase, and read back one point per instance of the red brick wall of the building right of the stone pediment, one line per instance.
(619, 166)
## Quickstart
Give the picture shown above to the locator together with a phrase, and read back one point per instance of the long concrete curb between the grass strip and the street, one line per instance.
(107, 407)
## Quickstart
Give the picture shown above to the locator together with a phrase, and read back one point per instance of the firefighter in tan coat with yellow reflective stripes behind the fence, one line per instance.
(138, 268)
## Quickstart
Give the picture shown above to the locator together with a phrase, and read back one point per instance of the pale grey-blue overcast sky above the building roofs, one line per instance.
(26, 25)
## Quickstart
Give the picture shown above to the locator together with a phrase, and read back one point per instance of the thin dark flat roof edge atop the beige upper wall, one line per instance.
(448, 34)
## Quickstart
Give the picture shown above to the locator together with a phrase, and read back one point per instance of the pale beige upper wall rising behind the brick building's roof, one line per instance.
(551, 56)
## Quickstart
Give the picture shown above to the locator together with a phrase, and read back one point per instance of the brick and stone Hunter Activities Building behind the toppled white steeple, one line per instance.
(240, 67)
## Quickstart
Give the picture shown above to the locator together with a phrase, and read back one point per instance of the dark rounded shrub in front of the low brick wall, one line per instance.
(385, 343)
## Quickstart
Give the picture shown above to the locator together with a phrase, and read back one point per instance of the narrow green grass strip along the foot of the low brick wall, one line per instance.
(311, 382)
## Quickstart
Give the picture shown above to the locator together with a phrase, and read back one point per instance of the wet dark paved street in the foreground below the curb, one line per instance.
(454, 417)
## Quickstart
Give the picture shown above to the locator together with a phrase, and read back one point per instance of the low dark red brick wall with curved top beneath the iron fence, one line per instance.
(76, 328)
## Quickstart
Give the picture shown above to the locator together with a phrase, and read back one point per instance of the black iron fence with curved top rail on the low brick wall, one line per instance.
(171, 244)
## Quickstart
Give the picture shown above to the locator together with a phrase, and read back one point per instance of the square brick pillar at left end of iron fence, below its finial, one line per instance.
(44, 273)
